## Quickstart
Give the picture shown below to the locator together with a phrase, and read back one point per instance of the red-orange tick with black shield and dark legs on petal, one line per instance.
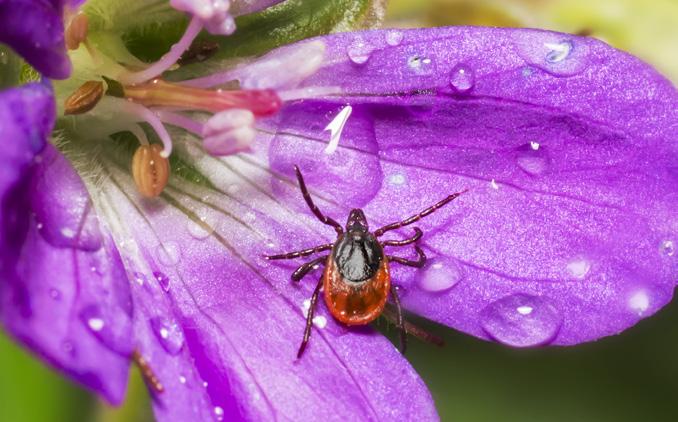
(356, 280)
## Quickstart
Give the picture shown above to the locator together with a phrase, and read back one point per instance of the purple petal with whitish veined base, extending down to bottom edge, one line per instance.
(221, 327)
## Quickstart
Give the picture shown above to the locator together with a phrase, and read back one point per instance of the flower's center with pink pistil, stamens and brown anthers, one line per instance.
(142, 96)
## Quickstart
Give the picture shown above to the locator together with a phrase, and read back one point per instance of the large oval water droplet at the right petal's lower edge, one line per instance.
(521, 320)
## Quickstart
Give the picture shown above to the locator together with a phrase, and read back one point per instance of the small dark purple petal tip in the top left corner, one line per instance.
(34, 29)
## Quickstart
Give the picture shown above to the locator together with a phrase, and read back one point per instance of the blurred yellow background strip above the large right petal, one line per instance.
(645, 28)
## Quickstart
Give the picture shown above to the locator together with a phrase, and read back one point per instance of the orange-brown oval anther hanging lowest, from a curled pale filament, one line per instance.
(150, 170)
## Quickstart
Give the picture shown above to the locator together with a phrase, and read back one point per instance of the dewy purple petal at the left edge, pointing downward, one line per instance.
(64, 292)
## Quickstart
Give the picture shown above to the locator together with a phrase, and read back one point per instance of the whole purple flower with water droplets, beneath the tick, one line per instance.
(567, 233)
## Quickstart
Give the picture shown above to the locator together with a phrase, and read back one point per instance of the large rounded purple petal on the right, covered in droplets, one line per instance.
(568, 231)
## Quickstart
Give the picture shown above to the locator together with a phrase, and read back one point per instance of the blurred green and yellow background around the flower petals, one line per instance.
(630, 377)
